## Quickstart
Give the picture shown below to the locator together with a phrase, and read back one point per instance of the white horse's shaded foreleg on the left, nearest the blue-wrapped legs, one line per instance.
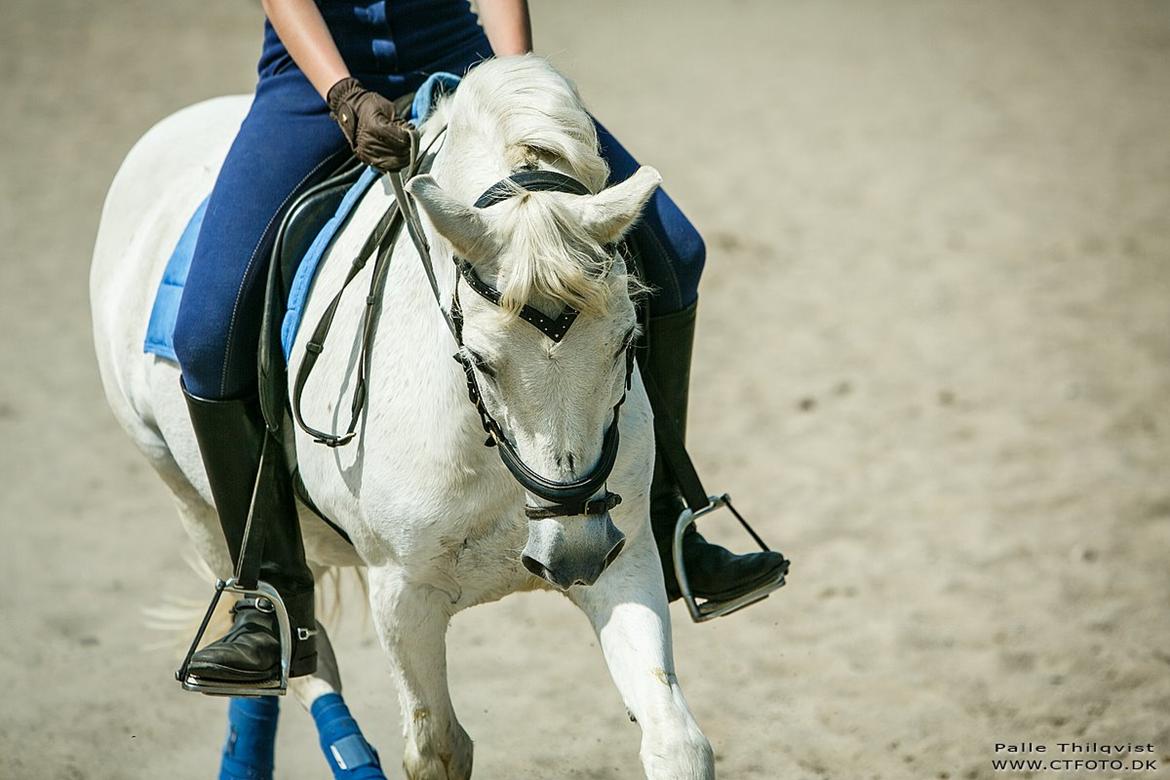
(412, 625)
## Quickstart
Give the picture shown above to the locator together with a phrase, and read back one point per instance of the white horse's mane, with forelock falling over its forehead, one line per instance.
(527, 114)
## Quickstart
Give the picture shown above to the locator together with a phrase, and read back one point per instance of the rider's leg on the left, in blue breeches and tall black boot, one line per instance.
(285, 142)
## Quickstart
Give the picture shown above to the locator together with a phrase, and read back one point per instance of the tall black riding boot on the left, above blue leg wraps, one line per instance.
(231, 437)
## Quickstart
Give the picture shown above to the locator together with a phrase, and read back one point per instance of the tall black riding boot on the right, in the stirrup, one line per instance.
(713, 572)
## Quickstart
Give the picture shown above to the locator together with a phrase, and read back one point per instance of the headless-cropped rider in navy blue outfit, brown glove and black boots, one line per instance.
(328, 73)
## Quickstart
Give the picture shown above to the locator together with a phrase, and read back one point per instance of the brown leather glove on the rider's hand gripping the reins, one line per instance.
(368, 121)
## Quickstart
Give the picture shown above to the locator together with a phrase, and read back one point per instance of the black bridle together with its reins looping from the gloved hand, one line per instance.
(566, 499)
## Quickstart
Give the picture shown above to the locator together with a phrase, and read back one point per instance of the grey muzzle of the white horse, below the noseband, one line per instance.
(569, 551)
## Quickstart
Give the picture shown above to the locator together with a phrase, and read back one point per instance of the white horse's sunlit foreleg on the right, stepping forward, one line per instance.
(629, 611)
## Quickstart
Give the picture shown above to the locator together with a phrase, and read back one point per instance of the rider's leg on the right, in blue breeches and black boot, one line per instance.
(673, 257)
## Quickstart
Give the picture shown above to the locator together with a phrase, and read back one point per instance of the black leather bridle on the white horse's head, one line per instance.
(566, 499)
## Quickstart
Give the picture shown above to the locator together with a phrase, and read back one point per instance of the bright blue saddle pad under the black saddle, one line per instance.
(161, 329)
